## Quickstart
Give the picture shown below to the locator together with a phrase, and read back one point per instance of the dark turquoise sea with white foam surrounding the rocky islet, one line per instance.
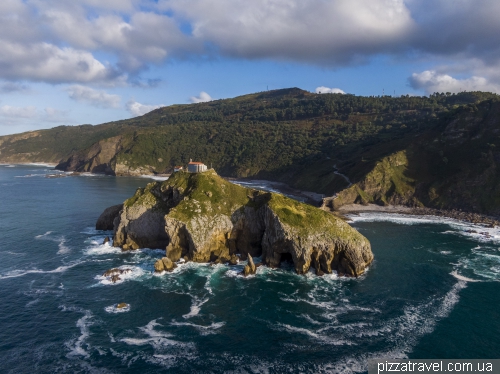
(432, 292)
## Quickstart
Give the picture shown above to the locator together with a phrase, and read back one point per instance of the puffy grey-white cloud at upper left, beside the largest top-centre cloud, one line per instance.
(145, 37)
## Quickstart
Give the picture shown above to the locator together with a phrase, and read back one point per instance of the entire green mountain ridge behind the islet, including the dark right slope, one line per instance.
(302, 139)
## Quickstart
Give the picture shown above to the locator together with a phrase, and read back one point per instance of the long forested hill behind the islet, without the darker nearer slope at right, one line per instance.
(288, 135)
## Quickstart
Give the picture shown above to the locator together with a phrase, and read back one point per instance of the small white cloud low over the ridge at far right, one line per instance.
(432, 81)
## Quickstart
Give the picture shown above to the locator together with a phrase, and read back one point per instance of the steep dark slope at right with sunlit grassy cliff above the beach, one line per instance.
(454, 166)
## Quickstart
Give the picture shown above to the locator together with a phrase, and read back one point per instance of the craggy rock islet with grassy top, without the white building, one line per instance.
(202, 217)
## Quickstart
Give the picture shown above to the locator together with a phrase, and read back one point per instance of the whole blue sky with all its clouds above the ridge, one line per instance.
(70, 62)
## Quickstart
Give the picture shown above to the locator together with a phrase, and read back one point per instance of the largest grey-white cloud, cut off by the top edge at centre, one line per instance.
(316, 31)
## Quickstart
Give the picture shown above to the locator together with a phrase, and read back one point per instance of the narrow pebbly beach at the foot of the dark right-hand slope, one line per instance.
(476, 218)
